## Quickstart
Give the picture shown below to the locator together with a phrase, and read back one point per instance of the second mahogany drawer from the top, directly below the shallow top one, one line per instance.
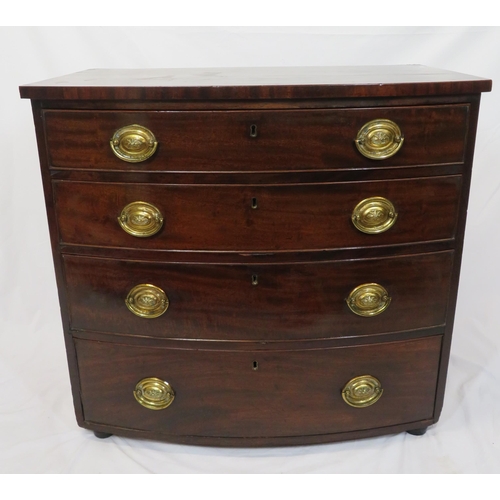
(256, 218)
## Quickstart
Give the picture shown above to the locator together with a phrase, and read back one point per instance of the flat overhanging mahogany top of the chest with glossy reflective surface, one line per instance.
(256, 83)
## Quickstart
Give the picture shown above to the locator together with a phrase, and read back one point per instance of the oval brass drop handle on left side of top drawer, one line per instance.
(133, 143)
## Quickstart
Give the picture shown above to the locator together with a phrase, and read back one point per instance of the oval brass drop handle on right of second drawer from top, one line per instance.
(374, 215)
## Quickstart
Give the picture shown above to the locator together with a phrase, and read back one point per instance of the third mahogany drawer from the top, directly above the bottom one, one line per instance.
(260, 302)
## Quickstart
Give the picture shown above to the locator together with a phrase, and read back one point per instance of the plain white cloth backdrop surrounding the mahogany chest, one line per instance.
(38, 431)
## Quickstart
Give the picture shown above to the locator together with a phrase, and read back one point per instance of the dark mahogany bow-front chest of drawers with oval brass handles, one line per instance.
(257, 257)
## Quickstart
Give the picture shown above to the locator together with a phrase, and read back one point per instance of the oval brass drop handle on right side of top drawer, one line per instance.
(379, 139)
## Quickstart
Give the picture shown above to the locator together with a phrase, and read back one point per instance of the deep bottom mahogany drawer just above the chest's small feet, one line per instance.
(258, 394)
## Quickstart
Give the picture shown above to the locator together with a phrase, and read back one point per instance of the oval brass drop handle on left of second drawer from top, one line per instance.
(140, 219)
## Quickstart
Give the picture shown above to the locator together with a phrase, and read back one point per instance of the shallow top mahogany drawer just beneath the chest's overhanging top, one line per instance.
(251, 140)
